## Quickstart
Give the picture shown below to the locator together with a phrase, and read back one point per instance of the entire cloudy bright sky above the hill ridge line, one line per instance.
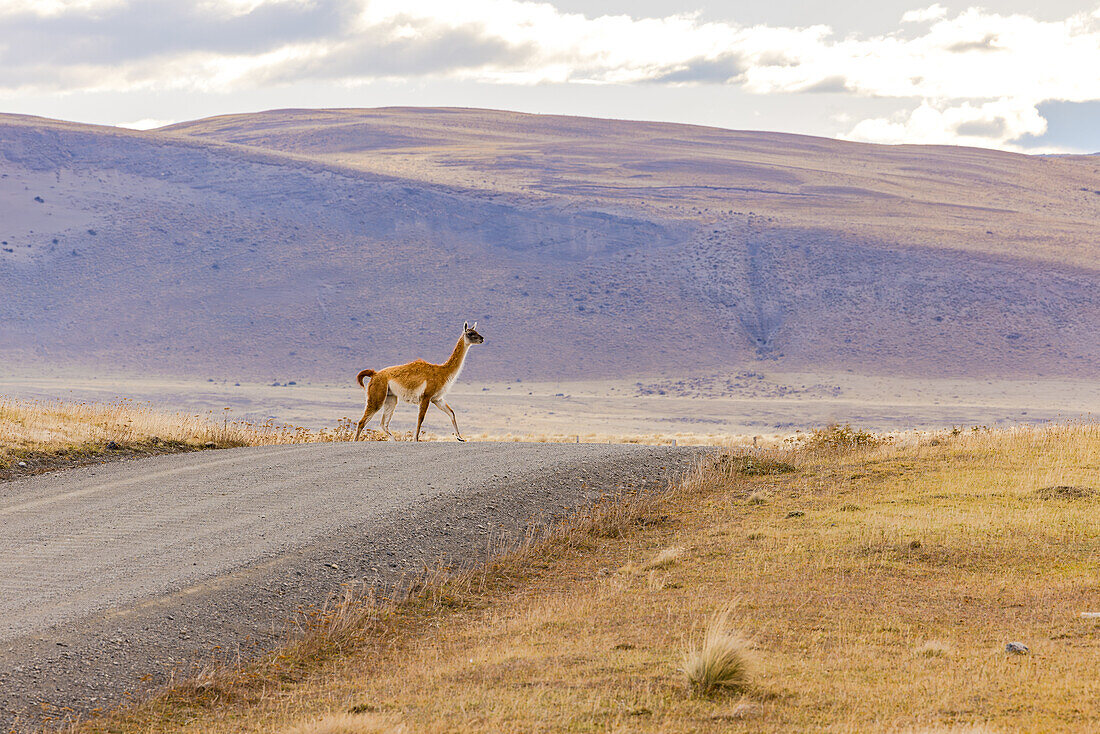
(1010, 74)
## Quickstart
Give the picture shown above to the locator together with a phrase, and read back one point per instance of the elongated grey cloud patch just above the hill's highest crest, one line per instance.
(381, 52)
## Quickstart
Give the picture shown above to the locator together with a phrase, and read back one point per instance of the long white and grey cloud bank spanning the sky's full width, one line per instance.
(229, 46)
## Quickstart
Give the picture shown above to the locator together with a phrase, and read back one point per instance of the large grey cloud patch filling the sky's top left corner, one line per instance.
(151, 29)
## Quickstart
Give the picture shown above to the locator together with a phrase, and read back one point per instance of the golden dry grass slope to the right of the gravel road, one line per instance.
(876, 586)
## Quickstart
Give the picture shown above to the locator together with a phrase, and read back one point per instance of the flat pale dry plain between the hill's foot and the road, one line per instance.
(729, 410)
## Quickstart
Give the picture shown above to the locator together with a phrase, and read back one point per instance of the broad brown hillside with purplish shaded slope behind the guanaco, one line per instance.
(310, 244)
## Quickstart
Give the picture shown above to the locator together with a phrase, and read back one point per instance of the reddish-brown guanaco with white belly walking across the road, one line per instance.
(419, 382)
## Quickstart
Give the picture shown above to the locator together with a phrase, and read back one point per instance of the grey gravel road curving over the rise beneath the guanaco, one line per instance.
(116, 577)
